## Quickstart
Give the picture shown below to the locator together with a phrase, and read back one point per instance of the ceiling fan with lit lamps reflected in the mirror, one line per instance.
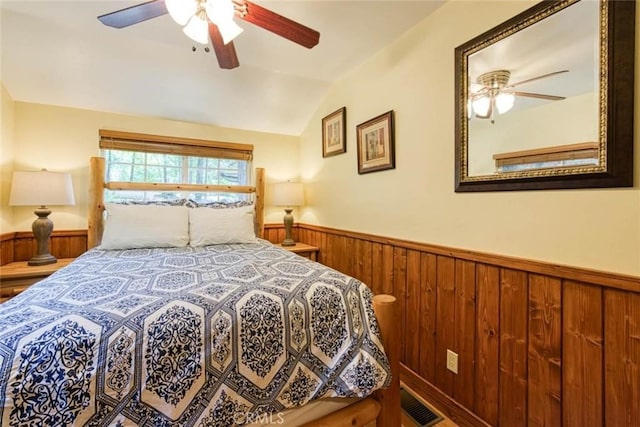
(492, 93)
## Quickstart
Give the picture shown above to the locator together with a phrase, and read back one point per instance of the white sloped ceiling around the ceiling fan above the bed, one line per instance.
(58, 53)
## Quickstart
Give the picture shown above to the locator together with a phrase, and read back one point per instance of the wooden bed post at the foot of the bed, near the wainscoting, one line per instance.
(386, 310)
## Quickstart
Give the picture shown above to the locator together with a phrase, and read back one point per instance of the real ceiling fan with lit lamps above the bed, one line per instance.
(205, 20)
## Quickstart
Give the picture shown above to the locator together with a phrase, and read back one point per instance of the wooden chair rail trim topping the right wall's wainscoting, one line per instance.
(585, 275)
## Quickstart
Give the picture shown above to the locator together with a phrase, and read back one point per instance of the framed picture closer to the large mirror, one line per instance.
(376, 144)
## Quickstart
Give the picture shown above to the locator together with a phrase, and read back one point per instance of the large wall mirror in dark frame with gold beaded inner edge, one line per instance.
(545, 99)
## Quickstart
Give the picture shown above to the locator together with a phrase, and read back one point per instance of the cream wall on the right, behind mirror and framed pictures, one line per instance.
(597, 229)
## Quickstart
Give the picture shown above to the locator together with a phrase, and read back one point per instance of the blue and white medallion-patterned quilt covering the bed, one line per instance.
(207, 336)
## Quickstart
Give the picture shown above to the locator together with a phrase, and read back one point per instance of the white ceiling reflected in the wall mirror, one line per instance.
(553, 44)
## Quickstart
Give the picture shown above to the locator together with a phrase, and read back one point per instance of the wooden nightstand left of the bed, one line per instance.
(18, 276)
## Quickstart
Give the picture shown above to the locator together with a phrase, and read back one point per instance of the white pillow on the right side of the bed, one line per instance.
(217, 226)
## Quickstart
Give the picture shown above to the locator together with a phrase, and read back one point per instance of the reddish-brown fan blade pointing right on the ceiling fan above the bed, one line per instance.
(277, 24)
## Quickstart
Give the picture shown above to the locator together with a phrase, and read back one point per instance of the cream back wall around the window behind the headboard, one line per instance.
(63, 139)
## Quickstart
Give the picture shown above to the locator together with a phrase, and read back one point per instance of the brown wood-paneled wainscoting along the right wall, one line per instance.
(538, 344)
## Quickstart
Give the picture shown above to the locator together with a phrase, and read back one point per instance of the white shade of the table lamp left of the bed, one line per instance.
(41, 188)
